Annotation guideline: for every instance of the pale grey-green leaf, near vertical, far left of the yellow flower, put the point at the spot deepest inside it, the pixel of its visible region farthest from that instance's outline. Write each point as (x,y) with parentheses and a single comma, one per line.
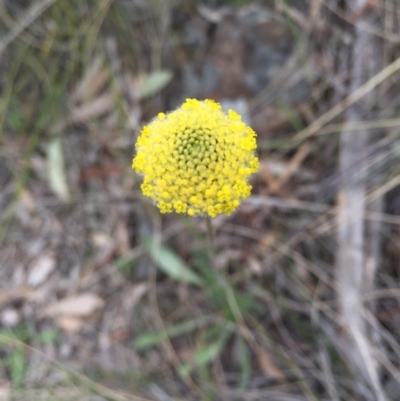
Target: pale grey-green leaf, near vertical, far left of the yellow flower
(56,169)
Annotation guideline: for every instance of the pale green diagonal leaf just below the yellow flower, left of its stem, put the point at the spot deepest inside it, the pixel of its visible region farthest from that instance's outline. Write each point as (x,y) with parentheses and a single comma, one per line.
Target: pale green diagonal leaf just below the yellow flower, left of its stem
(171,264)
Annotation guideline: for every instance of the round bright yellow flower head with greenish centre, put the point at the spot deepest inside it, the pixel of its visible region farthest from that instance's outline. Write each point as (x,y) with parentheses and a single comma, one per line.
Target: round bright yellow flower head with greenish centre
(196,159)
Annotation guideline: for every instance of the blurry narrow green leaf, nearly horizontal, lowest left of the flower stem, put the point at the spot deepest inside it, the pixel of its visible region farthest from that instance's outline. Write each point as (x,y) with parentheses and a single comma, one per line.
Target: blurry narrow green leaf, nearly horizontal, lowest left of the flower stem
(148,340)
